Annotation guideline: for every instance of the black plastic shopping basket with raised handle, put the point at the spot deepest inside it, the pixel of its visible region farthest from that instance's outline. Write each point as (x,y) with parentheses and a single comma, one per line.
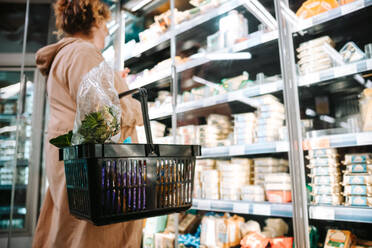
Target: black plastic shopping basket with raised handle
(110,183)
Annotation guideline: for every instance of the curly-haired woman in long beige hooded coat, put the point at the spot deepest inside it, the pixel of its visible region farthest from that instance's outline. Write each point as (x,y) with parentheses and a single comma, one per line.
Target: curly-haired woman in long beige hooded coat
(83,22)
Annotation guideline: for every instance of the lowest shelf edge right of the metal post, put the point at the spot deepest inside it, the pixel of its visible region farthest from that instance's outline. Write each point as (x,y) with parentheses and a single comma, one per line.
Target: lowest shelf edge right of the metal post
(341,213)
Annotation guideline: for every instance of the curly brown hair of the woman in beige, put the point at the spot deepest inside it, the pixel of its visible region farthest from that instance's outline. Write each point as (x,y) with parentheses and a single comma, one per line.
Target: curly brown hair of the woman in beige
(79,16)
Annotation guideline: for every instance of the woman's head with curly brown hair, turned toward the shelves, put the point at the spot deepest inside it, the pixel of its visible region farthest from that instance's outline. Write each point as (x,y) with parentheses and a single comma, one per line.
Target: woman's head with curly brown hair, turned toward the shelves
(83,18)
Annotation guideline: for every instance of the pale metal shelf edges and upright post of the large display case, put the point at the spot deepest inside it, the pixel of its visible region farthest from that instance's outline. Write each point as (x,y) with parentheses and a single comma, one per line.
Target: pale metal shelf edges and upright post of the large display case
(257,41)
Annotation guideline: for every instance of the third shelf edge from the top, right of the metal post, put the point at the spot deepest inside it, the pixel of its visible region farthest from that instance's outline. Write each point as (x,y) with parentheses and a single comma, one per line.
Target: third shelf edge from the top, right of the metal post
(339,140)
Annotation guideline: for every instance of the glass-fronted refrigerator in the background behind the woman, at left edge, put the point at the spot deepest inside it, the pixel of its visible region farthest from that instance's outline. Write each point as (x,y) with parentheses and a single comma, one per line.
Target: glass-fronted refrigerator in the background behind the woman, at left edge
(22,150)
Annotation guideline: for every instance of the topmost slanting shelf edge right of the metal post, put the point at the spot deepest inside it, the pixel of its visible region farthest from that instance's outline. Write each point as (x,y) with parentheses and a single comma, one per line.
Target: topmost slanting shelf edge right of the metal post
(333,14)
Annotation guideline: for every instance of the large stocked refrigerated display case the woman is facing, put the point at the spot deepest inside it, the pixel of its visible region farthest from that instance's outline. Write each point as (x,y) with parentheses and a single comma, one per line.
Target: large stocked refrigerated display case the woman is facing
(222,57)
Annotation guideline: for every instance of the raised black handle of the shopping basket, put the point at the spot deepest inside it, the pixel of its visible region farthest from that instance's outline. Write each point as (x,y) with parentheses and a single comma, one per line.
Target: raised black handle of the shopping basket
(145,113)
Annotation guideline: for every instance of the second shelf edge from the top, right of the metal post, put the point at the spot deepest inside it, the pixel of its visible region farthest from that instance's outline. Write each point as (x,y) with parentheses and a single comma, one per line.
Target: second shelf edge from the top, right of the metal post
(336,72)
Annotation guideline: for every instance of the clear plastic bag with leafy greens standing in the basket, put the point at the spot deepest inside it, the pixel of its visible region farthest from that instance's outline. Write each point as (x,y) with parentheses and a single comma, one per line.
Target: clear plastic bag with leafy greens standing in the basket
(98,110)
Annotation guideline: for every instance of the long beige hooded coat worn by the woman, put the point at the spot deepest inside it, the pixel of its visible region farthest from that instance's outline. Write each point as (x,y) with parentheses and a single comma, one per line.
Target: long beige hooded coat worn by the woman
(65,63)
